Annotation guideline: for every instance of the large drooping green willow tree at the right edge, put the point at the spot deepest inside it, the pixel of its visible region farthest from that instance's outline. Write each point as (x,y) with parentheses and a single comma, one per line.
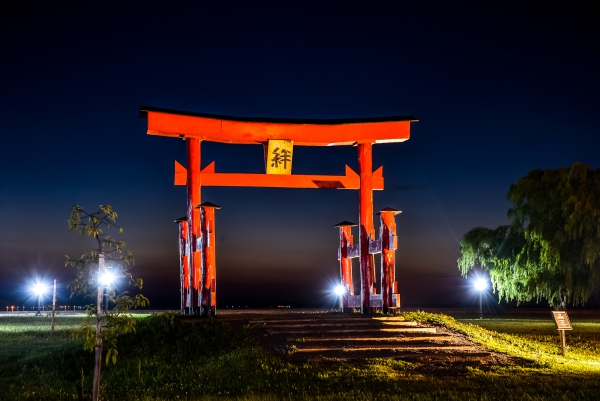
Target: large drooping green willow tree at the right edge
(551,249)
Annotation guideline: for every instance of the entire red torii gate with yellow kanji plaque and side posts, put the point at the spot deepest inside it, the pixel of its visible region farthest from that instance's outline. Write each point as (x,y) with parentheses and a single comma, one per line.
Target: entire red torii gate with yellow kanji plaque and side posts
(278,136)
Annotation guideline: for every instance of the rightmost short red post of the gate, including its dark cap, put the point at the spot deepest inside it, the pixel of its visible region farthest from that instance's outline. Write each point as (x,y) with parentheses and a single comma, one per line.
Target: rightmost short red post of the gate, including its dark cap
(389,243)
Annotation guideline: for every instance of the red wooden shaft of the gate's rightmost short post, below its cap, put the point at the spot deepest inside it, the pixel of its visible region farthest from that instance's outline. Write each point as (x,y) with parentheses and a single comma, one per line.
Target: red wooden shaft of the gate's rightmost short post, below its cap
(388,263)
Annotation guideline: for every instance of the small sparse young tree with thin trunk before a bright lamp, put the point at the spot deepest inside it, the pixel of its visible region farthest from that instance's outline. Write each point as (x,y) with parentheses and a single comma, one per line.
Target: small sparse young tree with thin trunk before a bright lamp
(107,253)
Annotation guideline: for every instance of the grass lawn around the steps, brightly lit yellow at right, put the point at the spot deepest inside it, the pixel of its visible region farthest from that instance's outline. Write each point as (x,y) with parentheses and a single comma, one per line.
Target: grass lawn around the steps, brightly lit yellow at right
(222,360)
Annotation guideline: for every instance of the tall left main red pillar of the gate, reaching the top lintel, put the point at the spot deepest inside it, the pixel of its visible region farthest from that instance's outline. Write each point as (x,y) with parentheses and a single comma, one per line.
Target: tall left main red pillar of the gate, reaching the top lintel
(193,195)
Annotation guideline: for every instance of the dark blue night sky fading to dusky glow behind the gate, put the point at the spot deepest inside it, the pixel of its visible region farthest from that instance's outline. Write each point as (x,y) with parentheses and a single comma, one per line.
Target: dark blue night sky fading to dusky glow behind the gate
(498,92)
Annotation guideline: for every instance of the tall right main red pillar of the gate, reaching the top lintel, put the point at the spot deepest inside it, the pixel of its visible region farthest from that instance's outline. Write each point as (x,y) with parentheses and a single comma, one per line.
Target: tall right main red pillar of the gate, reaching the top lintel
(365,194)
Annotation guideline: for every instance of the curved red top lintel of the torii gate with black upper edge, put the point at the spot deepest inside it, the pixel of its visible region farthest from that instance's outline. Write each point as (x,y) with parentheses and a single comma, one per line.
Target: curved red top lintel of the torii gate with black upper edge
(304,132)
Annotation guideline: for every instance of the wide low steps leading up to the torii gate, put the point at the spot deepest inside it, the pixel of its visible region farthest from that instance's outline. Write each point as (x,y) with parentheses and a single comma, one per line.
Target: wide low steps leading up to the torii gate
(348,337)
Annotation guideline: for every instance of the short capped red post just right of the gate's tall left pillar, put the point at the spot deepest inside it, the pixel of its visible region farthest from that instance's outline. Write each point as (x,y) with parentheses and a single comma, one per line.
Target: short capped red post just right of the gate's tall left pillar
(208,294)
